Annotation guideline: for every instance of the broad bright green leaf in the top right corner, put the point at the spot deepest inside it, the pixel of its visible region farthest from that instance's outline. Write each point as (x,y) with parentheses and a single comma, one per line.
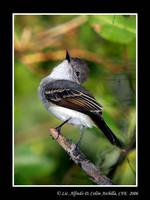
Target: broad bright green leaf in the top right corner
(117,29)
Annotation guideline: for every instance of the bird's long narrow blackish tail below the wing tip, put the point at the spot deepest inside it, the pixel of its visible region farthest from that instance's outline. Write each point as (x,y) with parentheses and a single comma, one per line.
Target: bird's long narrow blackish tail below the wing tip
(100,122)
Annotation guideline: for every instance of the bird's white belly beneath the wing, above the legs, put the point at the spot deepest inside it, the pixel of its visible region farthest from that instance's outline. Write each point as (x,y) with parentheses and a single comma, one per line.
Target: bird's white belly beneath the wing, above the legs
(77,118)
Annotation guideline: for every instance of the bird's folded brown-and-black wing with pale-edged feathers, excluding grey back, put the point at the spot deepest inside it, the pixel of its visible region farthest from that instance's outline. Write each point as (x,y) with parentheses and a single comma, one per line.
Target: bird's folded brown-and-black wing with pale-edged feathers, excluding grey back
(73,99)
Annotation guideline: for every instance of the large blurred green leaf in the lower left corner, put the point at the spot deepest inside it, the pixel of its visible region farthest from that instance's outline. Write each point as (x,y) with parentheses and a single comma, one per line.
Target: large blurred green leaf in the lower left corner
(30,168)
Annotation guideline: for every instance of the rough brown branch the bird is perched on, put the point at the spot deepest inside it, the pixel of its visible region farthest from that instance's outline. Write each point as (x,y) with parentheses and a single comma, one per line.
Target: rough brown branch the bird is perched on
(79,158)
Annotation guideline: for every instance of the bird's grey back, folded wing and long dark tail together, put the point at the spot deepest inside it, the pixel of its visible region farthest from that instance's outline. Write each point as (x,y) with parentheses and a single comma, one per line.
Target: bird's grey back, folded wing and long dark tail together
(71,95)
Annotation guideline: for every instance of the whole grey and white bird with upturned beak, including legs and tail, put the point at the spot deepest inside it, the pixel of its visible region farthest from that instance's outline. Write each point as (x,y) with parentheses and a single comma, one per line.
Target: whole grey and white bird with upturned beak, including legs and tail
(62,95)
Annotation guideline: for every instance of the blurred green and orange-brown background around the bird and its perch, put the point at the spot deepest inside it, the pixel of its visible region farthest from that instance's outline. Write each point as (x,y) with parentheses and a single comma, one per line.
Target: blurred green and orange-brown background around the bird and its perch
(108,44)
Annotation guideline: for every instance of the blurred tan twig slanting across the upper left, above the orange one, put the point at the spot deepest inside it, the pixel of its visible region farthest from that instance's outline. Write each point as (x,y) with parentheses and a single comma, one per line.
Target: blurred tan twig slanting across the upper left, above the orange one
(50,37)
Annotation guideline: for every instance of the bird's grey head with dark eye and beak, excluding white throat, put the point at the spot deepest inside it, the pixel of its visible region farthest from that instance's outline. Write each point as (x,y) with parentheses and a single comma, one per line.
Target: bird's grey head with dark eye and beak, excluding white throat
(80,68)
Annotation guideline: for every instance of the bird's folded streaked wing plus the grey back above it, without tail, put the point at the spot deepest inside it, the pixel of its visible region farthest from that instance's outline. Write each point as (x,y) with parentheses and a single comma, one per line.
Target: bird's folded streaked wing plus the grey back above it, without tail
(72,96)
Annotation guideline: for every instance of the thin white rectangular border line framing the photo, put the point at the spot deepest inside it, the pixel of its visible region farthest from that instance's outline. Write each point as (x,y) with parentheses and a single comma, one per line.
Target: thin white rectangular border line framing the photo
(136,99)
